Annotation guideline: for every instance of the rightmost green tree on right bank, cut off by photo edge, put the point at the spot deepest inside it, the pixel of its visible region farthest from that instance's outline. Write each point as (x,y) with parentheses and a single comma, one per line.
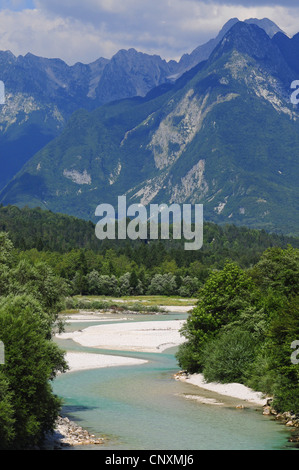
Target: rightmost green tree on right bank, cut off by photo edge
(277,274)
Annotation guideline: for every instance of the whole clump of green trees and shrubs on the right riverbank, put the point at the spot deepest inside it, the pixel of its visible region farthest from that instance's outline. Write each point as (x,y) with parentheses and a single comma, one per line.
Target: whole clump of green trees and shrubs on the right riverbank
(244,325)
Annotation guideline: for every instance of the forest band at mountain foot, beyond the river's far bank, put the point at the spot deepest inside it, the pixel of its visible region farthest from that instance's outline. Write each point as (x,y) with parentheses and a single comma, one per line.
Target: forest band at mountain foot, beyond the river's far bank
(70,247)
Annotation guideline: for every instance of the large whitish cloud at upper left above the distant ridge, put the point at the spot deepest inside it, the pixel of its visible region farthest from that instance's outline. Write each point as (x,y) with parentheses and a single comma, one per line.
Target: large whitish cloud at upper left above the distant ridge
(34,31)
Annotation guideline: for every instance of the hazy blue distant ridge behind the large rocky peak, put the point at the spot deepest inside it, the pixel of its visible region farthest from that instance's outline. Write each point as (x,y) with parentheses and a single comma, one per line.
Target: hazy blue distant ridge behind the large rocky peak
(42,94)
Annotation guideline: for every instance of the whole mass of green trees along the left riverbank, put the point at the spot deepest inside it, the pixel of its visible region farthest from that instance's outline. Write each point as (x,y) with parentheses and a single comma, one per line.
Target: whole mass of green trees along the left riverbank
(30,299)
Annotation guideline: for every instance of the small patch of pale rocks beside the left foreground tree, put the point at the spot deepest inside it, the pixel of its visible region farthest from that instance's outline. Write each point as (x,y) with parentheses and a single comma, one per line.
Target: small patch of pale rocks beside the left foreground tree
(69,434)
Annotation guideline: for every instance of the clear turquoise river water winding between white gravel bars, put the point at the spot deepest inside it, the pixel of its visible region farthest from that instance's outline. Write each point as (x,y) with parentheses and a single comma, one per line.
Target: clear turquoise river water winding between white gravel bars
(144,408)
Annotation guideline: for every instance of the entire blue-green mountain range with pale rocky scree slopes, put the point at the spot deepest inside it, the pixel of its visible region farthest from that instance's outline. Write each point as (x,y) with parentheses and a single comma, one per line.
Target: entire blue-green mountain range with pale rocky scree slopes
(216,128)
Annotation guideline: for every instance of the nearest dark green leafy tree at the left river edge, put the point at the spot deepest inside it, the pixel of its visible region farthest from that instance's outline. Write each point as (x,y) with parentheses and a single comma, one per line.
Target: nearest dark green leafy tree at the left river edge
(31,362)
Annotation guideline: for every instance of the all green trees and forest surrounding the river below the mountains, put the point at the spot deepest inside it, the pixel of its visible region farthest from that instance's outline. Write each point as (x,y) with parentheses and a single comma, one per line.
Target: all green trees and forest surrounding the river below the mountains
(246,318)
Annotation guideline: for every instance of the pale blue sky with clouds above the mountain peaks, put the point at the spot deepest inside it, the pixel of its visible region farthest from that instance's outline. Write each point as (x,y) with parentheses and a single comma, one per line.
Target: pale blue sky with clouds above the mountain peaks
(84,30)
